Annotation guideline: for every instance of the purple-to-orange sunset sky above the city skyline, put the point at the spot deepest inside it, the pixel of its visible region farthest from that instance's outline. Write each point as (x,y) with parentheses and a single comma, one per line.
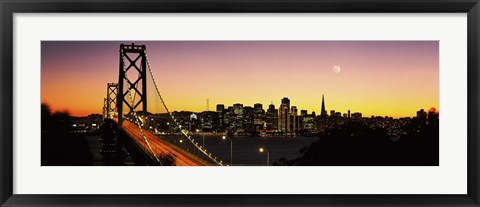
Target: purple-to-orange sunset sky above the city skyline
(386,78)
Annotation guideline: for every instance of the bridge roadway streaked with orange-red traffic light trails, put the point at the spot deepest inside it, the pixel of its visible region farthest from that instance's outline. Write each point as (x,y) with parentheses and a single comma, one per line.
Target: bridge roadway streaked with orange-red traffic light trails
(182,157)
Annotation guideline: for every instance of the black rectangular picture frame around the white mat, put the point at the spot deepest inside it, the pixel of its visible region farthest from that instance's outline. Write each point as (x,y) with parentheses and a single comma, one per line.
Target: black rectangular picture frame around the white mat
(9,7)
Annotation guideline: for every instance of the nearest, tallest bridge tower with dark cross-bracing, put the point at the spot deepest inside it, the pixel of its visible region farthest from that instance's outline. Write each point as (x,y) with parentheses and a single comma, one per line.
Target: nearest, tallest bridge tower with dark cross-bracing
(132,57)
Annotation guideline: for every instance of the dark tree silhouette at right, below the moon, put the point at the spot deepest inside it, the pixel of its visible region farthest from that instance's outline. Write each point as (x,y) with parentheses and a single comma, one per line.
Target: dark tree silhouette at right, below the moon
(356,144)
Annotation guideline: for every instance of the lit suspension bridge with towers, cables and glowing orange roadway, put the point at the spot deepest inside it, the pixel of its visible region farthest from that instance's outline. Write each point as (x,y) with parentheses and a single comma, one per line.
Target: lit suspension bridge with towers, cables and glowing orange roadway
(182,150)
